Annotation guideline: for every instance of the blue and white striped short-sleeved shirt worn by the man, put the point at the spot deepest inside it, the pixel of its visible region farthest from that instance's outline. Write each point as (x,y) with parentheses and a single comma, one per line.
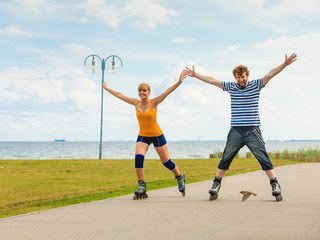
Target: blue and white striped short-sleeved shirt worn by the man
(244,102)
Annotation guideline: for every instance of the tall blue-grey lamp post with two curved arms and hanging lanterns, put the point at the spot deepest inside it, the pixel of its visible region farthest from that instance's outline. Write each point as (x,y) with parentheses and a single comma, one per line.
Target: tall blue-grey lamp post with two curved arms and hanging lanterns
(112,68)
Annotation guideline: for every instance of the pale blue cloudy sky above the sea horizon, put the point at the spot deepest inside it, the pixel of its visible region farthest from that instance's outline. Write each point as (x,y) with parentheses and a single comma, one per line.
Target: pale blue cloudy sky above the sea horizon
(47,93)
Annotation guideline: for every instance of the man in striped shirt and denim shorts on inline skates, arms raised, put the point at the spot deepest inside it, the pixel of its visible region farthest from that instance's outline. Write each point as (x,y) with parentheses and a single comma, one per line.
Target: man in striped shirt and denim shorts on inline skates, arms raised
(245,121)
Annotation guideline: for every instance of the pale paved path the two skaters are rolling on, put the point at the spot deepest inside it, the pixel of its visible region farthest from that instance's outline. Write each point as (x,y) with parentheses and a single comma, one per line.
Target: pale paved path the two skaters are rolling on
(167,215)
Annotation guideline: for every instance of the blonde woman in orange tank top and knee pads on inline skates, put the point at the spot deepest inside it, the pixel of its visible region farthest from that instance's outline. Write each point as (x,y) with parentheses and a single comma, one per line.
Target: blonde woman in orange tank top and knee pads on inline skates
(150,132)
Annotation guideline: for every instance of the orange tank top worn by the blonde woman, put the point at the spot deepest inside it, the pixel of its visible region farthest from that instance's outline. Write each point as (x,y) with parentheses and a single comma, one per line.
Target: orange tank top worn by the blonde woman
(148,123)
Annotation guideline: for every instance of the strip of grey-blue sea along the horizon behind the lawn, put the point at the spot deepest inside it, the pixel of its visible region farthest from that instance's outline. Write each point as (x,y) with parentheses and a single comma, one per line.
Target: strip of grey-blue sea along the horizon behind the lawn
(126,149)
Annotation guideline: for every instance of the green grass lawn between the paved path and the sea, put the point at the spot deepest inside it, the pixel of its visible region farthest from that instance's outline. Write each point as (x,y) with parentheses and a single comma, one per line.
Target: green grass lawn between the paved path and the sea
(35,185)
